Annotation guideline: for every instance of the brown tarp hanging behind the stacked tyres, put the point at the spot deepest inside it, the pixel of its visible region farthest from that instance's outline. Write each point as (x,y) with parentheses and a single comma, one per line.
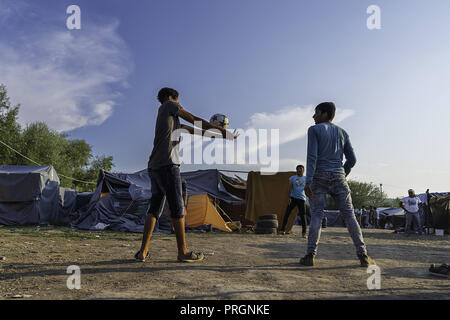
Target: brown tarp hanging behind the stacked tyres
(268,194)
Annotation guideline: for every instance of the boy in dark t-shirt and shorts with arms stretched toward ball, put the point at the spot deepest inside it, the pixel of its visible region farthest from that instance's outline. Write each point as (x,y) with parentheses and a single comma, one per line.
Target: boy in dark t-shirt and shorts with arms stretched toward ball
(164,171)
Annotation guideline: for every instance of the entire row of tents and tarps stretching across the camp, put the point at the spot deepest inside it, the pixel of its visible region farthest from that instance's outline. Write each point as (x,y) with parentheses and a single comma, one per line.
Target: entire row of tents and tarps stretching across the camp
(32,195)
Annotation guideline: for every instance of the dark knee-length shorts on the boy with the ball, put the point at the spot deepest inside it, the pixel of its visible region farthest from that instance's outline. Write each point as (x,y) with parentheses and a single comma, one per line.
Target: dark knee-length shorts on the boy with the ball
(166,186)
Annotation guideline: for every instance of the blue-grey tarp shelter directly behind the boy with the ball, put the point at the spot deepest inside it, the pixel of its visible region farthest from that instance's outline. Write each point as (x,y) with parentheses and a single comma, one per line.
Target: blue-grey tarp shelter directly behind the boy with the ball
(121,200)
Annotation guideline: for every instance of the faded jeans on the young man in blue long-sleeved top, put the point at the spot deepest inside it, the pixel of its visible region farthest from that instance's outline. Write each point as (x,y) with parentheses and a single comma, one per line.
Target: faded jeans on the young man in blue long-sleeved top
(336,185)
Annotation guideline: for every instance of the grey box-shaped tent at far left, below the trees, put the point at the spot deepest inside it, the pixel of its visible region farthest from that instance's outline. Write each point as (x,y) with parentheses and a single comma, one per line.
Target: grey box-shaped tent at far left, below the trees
(29,195)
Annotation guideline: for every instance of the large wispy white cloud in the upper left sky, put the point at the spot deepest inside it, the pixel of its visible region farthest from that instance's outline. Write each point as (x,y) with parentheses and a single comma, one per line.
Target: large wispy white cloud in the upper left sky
(63,77)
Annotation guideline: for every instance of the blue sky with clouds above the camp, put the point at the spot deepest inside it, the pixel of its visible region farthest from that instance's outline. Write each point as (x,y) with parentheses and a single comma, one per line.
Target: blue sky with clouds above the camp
(256,61)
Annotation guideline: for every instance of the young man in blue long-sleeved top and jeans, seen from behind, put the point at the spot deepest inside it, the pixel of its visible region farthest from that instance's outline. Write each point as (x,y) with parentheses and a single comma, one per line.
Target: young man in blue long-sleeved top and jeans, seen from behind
(325,174)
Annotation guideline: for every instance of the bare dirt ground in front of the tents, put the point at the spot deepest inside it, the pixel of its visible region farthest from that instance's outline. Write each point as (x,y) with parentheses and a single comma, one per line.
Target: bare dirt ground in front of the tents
(237,266)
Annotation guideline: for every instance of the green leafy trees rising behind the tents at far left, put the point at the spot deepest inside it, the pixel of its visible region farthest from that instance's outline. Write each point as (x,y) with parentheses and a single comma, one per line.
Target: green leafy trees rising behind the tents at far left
(72,159)
